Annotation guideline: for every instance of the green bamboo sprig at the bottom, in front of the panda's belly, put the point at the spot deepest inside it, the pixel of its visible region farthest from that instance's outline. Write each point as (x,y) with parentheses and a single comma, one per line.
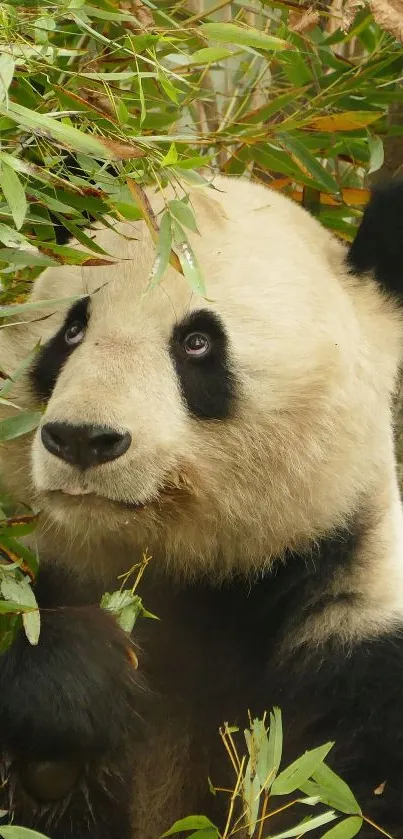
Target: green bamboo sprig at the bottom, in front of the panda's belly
(308,781)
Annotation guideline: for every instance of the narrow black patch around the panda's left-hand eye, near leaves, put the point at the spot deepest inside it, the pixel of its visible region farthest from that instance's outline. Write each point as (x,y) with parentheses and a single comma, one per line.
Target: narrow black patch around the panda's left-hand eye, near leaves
(54,354)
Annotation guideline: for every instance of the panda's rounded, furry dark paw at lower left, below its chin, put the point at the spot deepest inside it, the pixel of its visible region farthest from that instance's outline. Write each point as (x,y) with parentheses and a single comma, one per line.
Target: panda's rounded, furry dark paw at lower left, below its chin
(76,694)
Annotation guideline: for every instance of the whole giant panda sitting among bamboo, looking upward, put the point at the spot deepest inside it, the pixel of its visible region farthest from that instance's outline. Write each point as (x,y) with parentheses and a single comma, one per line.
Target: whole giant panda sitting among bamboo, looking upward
(244,439)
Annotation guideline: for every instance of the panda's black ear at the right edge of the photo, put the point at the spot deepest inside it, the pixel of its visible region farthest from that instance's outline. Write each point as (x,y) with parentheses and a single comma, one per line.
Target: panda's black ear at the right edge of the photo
(378,245)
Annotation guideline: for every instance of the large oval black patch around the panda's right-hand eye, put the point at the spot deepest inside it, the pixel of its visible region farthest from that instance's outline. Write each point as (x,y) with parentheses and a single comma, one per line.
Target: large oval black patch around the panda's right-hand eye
(207,383)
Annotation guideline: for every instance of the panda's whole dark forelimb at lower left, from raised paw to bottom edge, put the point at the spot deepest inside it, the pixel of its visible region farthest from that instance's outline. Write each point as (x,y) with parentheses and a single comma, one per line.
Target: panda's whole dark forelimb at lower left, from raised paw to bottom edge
(69,709)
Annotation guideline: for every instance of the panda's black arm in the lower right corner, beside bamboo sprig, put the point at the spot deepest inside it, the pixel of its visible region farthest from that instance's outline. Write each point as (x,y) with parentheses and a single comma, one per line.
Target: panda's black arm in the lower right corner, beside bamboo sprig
(353,696)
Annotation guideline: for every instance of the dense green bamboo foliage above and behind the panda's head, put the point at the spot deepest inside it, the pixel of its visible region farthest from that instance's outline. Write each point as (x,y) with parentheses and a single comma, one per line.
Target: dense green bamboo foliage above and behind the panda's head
(160,92)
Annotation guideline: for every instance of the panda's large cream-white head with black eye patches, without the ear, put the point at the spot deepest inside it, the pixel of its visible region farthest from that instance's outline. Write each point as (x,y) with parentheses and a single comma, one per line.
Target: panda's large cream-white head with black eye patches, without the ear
(214,431)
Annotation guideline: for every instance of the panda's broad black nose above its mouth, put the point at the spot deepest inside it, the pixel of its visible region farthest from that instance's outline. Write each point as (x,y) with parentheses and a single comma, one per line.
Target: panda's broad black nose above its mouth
(84,445)
